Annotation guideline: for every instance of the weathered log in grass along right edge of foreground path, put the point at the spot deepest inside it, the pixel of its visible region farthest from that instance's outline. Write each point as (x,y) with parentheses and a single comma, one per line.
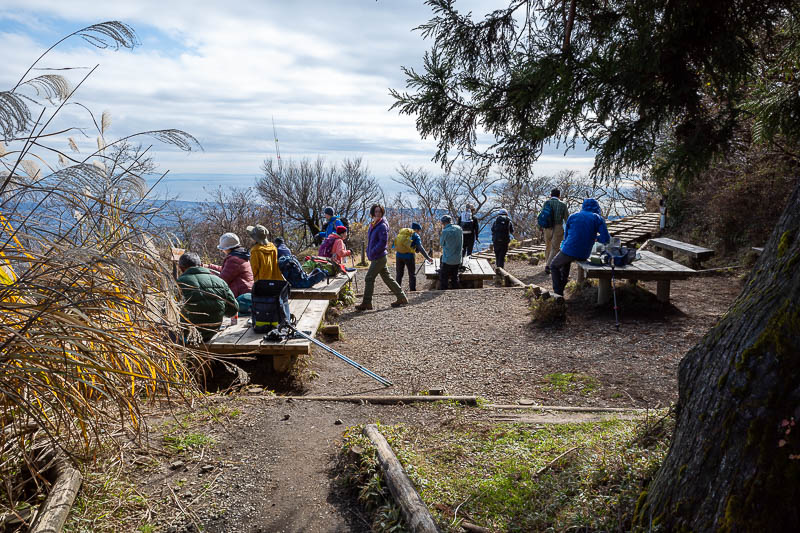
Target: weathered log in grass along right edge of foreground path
(414,511)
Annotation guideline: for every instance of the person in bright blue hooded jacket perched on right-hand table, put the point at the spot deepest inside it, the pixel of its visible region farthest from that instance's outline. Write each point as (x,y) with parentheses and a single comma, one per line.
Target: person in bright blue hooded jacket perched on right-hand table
(582,230)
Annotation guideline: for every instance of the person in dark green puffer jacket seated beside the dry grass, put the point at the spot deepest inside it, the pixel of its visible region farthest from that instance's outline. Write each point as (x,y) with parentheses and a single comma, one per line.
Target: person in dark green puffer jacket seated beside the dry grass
(207,298)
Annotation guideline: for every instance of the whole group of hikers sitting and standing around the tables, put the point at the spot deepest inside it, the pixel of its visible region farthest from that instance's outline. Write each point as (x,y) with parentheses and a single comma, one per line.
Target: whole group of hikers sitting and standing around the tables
(211,292)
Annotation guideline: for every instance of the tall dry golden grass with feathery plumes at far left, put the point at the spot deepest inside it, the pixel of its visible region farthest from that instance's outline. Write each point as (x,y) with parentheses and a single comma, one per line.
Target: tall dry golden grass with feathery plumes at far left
(86,303)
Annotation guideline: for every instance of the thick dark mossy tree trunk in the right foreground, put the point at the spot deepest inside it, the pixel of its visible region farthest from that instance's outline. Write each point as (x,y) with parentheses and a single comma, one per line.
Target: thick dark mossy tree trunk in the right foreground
(734,461)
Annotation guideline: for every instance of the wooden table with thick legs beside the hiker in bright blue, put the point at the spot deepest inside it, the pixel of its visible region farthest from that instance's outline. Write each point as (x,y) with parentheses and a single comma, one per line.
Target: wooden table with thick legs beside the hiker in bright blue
(651,267)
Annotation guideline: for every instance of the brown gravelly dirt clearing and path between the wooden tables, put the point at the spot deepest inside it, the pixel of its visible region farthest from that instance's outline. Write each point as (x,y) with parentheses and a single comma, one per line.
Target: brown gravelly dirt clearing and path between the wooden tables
(273,467)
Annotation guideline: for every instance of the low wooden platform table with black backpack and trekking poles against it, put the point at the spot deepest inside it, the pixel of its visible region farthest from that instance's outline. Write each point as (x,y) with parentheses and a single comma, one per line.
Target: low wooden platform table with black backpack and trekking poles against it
(242,340)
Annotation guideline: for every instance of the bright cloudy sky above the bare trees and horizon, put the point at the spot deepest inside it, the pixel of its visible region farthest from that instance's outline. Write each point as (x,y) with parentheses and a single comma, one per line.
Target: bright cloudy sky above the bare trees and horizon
(222,70)
